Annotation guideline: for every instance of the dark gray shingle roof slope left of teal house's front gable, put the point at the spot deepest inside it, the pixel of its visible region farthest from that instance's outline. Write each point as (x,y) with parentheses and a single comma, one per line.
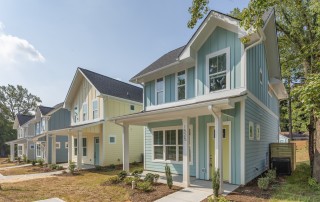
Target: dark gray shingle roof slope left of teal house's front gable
(164,60)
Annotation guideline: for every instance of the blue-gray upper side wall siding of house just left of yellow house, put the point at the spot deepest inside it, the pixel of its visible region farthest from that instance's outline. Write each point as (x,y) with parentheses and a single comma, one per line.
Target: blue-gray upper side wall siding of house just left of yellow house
(59,120)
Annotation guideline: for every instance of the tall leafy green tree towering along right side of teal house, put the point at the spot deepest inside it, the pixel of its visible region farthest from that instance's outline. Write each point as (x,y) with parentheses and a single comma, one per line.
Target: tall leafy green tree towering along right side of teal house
(298,29)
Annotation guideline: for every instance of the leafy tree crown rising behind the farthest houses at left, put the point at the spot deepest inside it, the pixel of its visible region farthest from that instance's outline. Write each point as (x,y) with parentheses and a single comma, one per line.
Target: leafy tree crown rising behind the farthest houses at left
(17,100)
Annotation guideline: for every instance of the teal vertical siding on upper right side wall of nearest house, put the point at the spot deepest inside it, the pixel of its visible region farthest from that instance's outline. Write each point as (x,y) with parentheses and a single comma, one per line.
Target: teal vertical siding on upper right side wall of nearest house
(256,60)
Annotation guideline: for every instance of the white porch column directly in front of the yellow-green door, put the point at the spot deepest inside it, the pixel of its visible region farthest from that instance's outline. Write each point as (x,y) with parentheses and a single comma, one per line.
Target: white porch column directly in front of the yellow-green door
(218,146)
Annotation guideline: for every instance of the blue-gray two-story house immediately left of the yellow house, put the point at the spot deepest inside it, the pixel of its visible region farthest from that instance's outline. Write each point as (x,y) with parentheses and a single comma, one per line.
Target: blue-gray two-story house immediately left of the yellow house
(51,133)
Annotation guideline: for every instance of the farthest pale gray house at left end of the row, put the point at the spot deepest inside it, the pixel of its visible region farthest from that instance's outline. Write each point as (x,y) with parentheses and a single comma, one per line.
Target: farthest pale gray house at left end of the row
(25,132)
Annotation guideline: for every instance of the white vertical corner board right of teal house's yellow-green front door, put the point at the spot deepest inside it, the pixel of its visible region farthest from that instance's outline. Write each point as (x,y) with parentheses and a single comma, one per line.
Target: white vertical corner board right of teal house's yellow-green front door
(242,141)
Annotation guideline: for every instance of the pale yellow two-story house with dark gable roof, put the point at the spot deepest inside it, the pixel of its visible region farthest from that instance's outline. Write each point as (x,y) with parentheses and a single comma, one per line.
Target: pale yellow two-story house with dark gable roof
(93,100)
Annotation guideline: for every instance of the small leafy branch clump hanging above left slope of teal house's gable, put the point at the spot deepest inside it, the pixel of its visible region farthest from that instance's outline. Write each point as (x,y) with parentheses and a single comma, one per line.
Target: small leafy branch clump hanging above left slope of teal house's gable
(198,9)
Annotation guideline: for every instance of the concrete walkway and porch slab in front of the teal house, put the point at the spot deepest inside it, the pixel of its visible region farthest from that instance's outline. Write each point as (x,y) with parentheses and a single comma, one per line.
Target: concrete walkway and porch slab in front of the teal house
(198,190)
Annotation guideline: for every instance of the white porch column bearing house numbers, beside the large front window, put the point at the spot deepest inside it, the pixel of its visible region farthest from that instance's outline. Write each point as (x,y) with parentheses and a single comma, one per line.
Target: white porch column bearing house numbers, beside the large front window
(186,157)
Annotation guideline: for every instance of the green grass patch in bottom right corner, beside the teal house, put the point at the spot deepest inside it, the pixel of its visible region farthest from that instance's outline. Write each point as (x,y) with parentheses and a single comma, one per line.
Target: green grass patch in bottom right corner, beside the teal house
(296,187)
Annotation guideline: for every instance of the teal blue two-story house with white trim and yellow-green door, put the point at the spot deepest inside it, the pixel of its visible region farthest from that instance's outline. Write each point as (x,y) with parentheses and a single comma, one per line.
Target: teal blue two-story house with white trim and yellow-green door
(213,103)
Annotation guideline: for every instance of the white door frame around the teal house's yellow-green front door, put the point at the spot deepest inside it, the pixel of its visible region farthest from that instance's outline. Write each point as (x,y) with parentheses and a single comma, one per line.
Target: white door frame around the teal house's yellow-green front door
(224,123)
